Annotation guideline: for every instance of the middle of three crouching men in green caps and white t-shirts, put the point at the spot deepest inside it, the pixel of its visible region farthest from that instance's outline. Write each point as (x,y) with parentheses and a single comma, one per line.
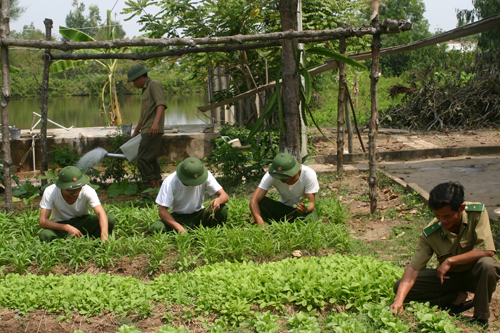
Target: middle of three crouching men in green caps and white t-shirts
(183,192)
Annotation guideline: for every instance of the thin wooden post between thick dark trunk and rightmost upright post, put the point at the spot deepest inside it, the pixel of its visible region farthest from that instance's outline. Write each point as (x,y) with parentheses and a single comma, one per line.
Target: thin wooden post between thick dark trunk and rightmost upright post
(341,109)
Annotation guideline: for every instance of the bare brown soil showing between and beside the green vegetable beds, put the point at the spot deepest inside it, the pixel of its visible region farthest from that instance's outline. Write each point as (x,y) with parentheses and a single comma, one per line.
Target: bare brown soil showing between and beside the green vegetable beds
(362,226)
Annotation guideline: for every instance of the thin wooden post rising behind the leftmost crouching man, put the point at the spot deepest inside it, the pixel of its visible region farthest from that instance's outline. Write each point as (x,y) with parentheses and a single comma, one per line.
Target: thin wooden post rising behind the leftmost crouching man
(45,100)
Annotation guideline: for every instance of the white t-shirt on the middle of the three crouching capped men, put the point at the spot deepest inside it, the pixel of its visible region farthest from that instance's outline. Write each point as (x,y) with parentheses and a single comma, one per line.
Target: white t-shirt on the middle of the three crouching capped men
(184,199)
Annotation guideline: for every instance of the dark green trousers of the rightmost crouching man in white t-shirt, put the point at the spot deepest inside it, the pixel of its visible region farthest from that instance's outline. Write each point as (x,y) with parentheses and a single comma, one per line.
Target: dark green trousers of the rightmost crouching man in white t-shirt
(275,210)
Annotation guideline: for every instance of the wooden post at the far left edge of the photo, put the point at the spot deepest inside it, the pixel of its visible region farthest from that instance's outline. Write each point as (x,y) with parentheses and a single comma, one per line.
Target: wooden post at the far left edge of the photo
(4,55)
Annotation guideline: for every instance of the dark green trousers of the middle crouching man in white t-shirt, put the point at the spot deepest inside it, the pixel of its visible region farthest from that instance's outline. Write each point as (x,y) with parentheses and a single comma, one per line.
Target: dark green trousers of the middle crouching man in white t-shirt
(193,220)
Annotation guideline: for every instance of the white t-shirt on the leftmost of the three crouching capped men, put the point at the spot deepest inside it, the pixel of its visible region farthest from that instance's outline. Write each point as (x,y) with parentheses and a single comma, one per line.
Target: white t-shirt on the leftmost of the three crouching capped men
(61,210)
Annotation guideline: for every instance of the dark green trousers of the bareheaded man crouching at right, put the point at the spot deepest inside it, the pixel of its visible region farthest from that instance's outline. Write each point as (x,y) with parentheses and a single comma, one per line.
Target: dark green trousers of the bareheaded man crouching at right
(481,280)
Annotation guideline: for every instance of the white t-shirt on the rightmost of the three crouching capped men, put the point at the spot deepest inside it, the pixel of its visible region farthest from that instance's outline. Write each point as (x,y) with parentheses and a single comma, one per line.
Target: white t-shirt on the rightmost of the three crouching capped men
(290,194)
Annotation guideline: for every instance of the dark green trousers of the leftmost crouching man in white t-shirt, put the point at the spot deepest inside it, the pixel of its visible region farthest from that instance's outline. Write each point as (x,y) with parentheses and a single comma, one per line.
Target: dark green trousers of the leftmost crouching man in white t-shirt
(87,224)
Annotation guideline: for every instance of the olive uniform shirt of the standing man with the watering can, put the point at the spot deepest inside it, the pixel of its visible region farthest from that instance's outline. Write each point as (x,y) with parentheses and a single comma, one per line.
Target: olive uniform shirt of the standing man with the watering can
(152,97)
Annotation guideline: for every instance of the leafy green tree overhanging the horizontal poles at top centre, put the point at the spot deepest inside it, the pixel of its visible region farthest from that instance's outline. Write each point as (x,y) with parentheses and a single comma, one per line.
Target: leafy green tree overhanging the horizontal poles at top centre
(214,18)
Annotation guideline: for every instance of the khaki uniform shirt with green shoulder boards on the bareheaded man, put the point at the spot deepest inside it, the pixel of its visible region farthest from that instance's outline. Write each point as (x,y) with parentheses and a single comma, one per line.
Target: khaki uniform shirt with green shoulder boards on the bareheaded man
(474,234)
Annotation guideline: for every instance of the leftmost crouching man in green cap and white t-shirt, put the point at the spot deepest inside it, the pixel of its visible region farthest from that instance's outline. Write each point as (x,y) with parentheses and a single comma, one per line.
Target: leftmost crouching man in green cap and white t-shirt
(67,201)
